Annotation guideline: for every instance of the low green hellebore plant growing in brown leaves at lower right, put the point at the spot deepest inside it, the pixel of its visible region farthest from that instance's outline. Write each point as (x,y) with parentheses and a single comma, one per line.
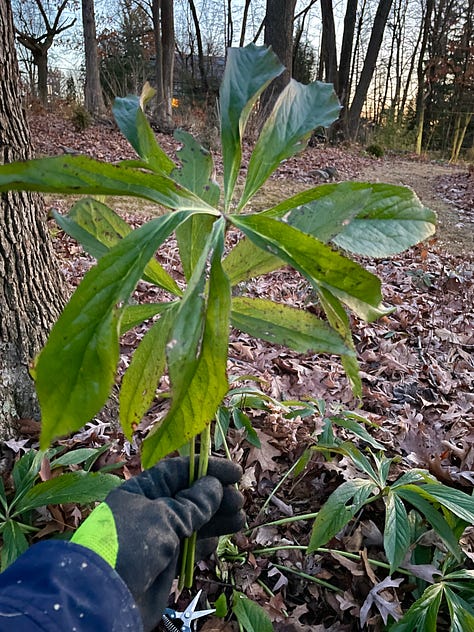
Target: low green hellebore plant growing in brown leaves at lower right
(432,505)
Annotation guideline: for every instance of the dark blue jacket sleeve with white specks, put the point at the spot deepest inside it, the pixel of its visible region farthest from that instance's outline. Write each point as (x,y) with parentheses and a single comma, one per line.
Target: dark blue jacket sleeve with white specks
(59,586)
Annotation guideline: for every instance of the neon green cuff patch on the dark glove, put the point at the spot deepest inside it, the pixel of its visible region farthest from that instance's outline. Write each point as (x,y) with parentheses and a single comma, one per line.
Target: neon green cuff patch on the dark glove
(99,533)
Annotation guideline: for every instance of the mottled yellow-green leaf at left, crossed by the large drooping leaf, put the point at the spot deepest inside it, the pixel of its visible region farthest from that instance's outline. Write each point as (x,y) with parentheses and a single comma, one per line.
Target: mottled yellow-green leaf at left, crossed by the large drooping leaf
(108,229)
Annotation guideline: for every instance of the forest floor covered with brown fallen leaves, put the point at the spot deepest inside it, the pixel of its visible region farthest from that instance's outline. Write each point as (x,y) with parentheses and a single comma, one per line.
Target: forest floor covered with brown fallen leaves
(417,366)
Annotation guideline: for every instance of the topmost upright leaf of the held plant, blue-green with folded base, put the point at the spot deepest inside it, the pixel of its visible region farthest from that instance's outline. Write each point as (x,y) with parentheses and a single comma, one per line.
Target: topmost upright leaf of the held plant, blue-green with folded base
(247,73)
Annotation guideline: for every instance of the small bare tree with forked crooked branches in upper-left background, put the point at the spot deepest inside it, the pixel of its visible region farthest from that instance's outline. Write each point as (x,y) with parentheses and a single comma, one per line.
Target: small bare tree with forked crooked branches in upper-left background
(39,22)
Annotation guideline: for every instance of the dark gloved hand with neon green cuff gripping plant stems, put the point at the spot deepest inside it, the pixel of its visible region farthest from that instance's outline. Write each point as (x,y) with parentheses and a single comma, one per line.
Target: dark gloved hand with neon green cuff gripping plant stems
(139,527)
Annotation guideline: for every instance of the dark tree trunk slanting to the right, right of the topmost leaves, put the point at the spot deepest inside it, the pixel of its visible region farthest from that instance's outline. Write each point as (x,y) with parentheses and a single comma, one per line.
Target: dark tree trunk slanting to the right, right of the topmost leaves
(368,68)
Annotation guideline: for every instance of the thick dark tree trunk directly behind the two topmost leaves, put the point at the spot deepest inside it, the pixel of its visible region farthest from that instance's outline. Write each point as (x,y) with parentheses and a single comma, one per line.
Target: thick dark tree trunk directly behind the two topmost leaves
(279,35)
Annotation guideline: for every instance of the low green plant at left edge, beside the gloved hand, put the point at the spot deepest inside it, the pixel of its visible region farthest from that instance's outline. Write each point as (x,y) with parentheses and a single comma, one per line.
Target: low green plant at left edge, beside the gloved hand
(27,493)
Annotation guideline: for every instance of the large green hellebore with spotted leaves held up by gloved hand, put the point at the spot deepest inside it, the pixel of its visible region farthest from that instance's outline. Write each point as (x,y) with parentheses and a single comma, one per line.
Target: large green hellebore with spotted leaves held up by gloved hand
(190,336)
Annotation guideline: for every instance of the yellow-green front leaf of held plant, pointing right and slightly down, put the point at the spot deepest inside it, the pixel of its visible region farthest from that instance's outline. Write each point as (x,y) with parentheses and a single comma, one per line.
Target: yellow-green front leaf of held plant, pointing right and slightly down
(322,266)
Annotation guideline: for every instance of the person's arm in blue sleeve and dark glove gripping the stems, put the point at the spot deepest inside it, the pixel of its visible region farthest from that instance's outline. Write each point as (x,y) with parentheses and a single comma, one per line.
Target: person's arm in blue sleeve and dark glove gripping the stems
(129,546)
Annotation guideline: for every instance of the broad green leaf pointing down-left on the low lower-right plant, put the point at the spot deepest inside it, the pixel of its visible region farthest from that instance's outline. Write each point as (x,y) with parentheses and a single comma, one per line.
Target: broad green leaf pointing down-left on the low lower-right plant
(336,513)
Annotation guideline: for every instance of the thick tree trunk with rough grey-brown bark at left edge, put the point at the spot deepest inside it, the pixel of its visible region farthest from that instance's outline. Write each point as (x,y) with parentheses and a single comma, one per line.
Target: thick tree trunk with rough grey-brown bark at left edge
(31,287)
